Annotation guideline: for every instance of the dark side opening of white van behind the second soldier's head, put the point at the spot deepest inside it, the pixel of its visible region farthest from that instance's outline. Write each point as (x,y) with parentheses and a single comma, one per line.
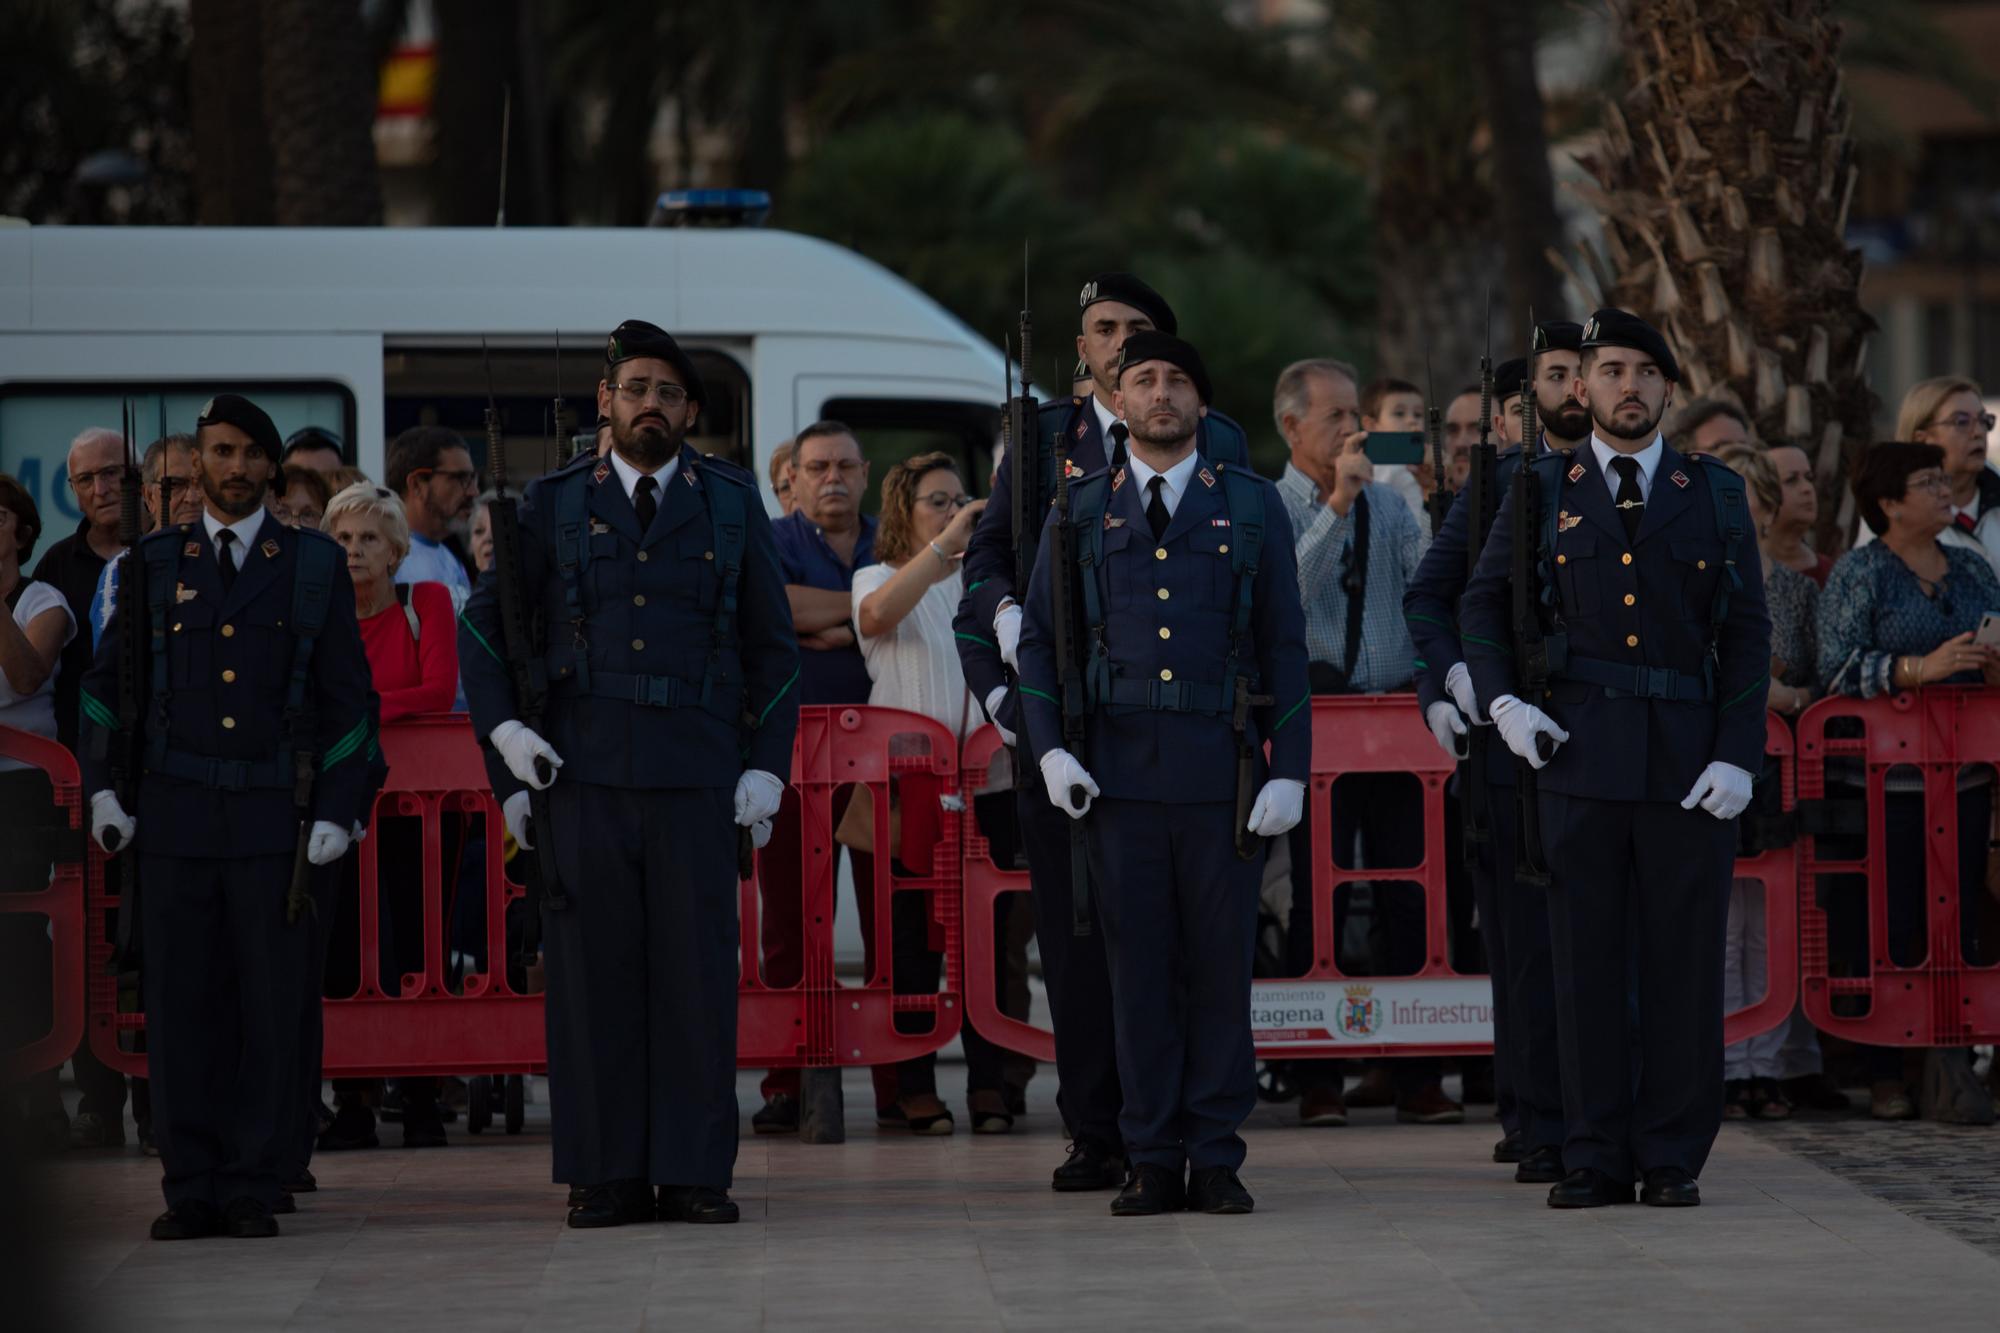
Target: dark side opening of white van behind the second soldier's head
(443,383)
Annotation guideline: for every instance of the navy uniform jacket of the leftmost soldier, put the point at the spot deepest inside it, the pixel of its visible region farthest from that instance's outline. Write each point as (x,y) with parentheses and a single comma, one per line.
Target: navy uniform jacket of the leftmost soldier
(229,668)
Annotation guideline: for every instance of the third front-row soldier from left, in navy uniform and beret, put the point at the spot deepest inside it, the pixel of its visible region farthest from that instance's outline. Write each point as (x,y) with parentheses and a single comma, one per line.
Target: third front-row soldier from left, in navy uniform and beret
(1177,629)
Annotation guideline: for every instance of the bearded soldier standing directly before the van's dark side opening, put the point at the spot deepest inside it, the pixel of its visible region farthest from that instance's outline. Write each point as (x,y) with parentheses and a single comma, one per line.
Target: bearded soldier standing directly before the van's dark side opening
(671,718)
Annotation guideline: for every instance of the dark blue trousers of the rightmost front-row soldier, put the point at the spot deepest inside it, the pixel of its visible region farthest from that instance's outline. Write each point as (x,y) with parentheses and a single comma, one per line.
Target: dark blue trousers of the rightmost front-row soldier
(1637,918)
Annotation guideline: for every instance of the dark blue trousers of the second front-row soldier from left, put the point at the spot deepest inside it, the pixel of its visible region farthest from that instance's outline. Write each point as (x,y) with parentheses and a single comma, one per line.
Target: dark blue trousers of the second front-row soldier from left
(643,986)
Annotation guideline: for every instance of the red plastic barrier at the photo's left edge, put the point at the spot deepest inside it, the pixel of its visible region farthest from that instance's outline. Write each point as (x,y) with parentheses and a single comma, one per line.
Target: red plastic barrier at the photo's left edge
(61,902)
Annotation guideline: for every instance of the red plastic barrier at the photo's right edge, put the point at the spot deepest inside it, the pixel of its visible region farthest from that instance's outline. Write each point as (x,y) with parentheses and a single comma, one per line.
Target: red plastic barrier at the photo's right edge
(1939,1002)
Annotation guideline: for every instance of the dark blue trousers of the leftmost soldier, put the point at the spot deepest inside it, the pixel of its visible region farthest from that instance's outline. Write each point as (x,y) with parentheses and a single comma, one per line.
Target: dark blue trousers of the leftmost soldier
(227,986)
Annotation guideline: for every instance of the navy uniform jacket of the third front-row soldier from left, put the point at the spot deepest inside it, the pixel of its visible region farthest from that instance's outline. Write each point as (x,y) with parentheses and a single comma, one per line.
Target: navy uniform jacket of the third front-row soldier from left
(1169,609)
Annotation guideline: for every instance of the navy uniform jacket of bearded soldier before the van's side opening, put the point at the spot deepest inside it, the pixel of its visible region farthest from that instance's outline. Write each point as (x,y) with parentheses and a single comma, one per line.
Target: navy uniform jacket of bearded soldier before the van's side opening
(649,603)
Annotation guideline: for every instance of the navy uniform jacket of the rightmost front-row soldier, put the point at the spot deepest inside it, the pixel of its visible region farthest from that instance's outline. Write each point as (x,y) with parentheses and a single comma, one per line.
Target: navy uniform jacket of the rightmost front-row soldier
(1645,603)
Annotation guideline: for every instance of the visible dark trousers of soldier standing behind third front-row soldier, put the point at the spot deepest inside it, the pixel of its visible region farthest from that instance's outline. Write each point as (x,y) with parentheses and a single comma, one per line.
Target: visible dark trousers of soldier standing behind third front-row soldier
(1077,978)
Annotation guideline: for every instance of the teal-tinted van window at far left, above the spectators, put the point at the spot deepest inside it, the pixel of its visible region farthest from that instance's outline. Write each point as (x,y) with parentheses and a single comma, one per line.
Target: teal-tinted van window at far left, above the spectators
(39,421)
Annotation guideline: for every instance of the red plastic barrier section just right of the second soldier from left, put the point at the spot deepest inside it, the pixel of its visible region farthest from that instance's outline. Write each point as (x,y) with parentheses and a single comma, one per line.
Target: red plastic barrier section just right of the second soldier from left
(821,1022)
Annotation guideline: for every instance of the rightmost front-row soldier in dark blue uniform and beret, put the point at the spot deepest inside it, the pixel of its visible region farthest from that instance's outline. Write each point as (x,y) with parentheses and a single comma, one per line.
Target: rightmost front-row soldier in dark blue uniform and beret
(1659,653)
